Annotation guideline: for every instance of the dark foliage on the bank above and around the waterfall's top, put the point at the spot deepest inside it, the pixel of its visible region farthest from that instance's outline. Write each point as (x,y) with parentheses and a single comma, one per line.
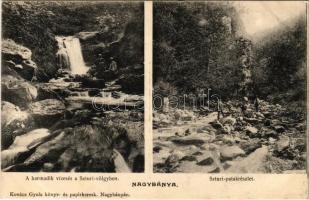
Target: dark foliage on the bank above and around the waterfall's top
(34,24)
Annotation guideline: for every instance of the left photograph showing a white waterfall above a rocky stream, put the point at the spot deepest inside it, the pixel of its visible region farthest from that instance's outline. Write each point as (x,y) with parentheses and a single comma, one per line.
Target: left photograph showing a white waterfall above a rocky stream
(72,86)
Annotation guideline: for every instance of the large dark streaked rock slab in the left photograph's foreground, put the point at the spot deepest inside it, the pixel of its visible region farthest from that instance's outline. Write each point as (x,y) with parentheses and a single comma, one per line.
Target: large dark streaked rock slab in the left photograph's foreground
(85,148)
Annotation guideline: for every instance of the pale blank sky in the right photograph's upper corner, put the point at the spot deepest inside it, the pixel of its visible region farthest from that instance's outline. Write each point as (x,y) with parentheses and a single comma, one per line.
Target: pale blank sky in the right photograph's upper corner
(260,16)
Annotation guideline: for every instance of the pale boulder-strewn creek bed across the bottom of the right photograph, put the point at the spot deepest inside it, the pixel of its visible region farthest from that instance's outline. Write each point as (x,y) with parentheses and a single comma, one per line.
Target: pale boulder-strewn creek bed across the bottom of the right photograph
(268,141)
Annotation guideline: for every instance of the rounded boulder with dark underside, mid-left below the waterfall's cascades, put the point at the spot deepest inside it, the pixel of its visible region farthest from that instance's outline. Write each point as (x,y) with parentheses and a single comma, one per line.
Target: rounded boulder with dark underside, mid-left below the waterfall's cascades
(47,112)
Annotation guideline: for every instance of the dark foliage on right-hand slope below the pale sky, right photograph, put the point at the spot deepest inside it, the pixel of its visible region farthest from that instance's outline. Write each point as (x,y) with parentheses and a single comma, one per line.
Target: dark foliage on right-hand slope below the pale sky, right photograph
(281,62)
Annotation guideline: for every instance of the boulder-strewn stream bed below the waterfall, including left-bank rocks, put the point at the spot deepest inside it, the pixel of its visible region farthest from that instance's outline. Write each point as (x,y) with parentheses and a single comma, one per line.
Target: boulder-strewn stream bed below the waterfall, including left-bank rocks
(72,123)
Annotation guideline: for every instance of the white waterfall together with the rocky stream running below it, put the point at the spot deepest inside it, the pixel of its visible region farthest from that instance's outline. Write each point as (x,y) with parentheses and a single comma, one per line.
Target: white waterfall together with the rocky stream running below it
(81,123)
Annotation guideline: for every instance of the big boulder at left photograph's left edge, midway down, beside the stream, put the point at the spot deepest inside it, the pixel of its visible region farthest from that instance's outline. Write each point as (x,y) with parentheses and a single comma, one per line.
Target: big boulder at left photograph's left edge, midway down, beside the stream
(17,91)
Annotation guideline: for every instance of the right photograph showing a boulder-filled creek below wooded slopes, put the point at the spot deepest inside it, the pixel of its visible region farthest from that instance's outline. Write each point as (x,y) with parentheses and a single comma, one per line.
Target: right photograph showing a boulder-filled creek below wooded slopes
(229,87)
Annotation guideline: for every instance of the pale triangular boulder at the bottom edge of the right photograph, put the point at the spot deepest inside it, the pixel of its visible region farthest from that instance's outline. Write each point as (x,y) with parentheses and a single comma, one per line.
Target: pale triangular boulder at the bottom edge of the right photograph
(254,163)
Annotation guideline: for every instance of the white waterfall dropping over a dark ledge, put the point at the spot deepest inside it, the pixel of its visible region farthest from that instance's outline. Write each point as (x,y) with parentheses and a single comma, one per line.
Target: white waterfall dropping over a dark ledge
(70,55)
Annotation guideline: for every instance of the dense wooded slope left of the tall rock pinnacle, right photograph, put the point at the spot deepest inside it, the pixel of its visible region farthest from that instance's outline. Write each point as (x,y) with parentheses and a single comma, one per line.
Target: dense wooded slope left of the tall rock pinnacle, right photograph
(194,46)
